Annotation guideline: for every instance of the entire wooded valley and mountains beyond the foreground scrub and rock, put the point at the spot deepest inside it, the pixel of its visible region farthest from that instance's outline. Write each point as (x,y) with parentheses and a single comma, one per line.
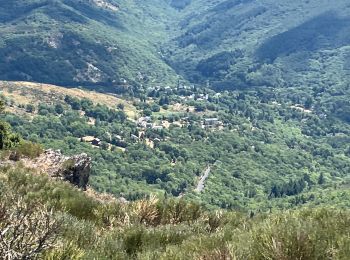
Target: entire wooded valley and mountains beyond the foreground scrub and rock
(155,91)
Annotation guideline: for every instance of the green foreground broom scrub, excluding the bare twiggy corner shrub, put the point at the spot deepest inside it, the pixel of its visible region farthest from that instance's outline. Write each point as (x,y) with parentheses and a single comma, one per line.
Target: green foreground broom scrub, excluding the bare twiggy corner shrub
(113,230)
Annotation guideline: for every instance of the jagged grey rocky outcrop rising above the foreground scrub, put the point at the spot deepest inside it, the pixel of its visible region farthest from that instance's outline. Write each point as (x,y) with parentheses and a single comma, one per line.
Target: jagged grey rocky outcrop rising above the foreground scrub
(75,169)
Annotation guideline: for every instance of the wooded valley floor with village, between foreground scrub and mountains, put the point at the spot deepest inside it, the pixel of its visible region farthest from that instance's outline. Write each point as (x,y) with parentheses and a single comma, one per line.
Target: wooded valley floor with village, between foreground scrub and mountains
(266,149)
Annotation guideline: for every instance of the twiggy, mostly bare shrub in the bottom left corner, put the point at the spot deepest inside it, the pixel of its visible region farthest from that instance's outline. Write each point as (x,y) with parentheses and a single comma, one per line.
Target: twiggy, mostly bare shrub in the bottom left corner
(27,230)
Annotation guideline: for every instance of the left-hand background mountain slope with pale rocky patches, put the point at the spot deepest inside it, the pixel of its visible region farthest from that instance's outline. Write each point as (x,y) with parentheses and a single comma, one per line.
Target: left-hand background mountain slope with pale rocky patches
(108,43)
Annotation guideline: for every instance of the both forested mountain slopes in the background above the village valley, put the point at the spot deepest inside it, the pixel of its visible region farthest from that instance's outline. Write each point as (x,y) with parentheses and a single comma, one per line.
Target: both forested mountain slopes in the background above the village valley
(232,44)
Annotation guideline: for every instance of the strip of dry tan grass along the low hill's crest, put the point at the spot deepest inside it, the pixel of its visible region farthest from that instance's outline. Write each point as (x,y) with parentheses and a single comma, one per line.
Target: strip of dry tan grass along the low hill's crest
(28,93)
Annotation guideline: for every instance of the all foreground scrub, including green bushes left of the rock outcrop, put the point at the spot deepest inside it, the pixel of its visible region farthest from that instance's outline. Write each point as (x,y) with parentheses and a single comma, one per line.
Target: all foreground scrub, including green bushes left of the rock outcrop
(45,219)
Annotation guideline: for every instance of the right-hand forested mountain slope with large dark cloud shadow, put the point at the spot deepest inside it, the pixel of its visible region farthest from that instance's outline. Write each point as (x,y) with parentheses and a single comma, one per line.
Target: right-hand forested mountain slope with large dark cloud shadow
(283,43)
